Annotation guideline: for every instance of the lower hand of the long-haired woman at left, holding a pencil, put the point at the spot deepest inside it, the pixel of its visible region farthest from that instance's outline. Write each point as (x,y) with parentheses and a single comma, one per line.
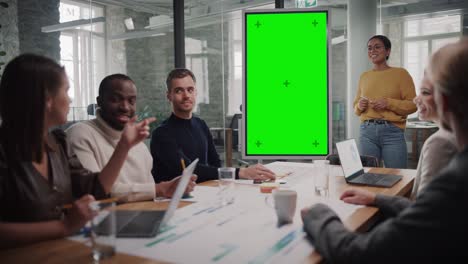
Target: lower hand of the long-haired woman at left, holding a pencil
(79,214)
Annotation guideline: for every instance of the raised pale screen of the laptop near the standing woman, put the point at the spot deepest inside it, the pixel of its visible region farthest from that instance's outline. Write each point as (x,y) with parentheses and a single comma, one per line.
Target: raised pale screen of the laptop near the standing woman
(349,157)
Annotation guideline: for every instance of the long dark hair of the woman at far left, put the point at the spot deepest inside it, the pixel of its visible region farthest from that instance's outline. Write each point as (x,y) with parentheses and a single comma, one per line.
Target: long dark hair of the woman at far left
(26,82)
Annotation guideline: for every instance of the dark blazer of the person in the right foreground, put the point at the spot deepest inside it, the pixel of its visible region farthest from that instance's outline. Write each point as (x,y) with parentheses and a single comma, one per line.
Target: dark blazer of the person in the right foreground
(432,229)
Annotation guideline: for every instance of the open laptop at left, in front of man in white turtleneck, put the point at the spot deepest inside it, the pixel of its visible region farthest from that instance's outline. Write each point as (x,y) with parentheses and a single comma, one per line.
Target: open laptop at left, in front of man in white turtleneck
(141,223)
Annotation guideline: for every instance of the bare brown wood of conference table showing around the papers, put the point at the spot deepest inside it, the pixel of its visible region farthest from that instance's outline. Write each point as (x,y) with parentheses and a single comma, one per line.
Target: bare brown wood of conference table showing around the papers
(67,251)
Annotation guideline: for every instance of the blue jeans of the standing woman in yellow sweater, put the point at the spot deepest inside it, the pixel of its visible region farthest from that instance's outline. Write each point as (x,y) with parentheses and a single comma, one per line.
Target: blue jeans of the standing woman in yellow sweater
(385,142)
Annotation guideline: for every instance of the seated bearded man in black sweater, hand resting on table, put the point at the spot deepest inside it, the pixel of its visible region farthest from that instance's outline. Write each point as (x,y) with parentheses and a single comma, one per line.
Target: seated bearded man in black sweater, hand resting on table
(184,136)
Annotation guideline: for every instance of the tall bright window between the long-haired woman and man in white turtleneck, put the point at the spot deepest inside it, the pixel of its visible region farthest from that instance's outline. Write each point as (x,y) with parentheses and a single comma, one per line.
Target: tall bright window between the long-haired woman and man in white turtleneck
(82,52)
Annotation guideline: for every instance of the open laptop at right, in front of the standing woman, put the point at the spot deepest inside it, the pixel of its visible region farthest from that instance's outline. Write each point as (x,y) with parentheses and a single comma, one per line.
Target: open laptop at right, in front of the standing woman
(353,170)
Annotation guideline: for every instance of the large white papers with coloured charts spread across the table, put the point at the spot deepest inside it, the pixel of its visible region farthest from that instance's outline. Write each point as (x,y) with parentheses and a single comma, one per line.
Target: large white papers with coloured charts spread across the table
(243,232)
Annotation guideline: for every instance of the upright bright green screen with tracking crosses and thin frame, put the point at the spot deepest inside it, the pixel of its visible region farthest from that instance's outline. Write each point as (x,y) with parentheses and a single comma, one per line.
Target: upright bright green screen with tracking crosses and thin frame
(286,80)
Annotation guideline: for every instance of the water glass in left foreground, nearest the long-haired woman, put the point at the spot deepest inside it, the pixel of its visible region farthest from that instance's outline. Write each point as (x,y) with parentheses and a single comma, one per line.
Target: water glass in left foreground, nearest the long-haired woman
(103,230)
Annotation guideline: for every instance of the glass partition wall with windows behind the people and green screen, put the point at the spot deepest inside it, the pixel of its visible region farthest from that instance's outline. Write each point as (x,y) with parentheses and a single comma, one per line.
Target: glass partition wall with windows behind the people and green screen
(96,38)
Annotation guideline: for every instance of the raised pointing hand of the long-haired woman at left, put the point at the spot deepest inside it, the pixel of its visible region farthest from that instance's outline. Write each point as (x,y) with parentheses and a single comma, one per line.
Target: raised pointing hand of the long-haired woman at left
(134,133)
